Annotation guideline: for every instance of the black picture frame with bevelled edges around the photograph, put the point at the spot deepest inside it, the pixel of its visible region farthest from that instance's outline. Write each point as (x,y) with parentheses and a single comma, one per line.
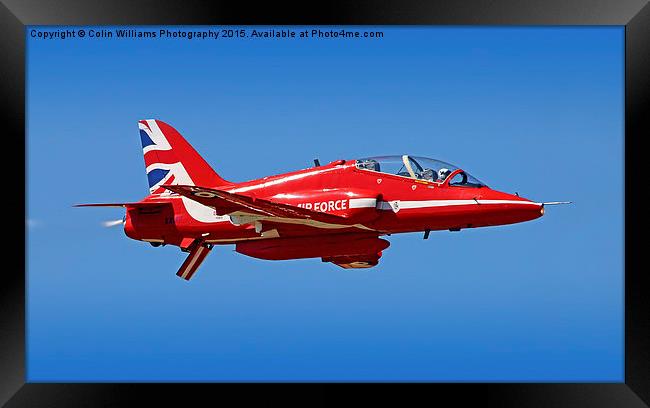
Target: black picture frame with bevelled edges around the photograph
(633,14)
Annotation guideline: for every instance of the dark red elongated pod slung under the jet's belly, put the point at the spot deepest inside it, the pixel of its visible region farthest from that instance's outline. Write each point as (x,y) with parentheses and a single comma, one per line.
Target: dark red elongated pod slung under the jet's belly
(314,247)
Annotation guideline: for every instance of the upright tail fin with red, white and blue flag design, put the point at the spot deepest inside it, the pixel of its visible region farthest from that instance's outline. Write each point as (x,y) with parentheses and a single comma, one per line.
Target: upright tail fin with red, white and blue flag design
(170,160)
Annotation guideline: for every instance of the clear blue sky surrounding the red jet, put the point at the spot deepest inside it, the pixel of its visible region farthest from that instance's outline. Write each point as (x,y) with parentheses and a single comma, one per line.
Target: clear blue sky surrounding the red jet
(533,110)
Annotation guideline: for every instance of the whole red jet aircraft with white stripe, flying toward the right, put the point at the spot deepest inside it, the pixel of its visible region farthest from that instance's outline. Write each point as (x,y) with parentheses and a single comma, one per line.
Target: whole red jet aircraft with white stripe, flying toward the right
(336,212)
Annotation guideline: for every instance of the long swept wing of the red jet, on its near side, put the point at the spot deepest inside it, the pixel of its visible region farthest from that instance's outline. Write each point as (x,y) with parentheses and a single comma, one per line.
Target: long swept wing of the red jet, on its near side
(227,203)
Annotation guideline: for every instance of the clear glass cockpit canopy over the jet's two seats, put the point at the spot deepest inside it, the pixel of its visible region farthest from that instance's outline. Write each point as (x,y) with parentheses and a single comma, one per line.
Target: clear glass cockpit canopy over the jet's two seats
(420,168)
